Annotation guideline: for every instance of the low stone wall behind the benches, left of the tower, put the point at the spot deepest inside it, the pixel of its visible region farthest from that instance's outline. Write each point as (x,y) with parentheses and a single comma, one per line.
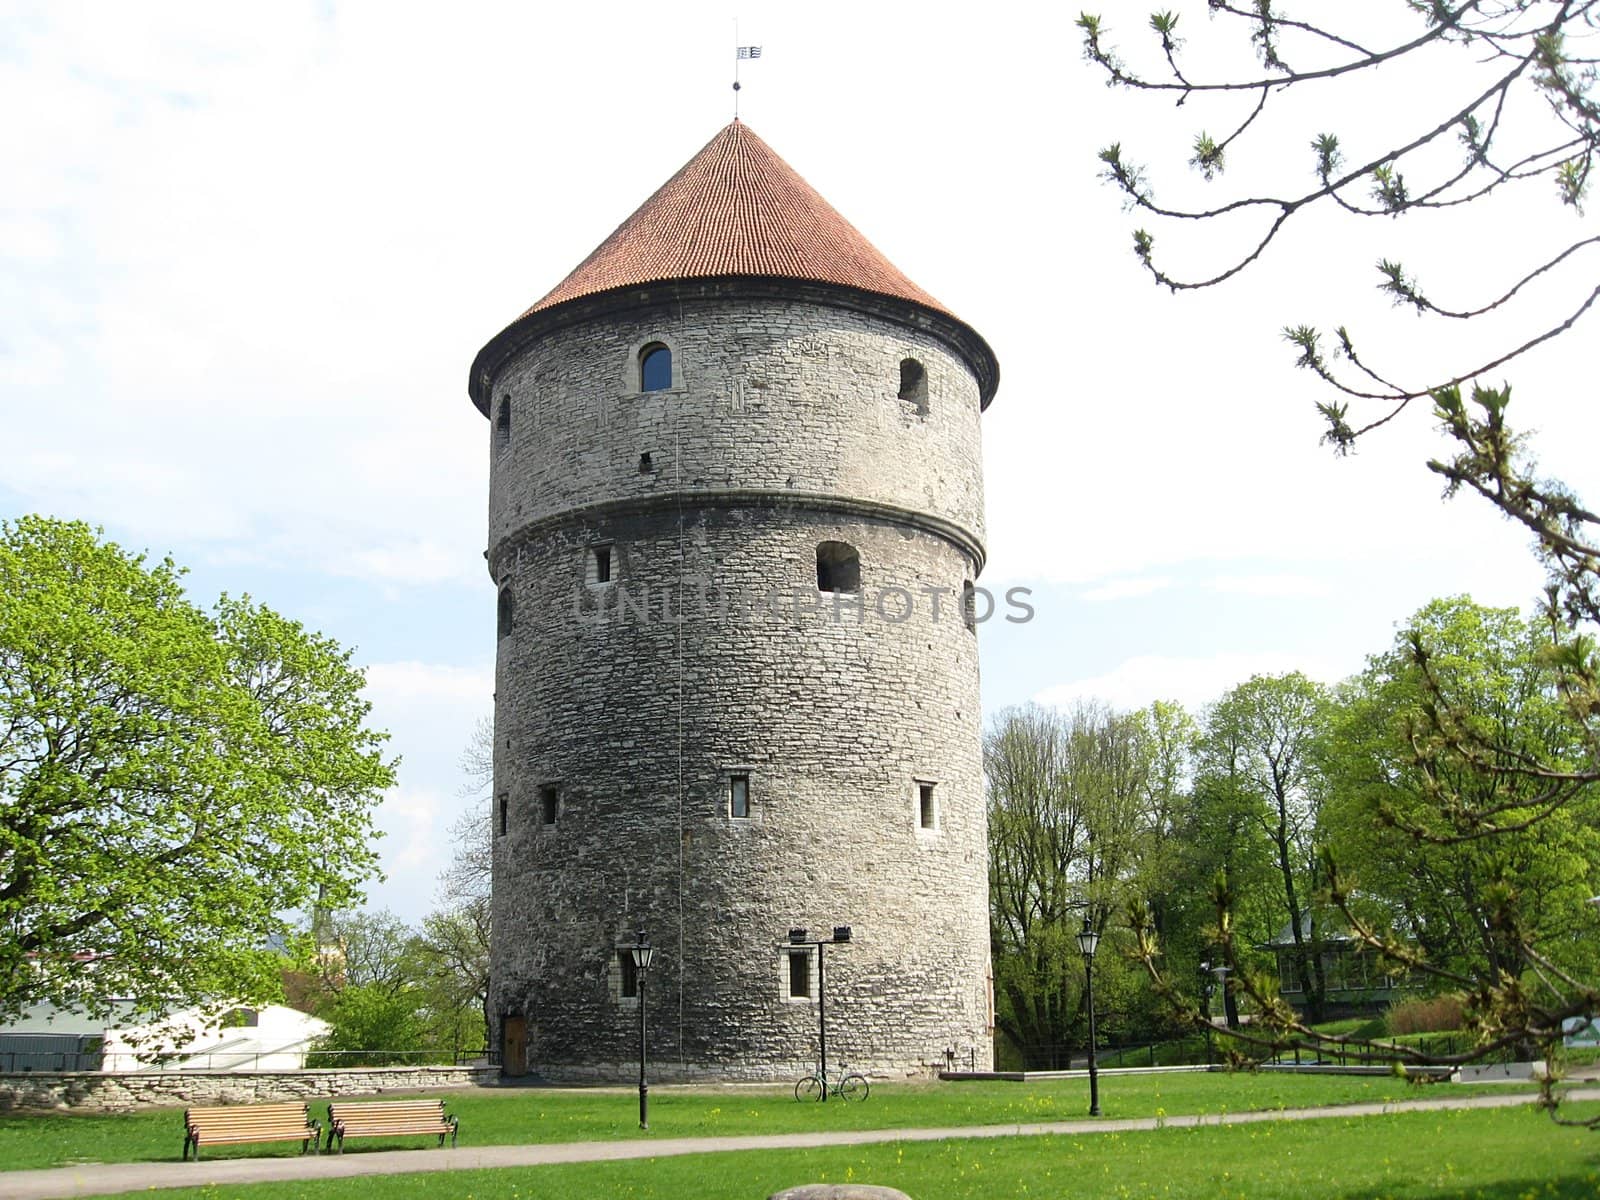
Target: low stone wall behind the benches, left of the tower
(102,1092)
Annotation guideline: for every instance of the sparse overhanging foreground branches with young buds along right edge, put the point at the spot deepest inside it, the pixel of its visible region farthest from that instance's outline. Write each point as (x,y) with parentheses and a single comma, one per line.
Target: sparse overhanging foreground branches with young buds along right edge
(1510,105)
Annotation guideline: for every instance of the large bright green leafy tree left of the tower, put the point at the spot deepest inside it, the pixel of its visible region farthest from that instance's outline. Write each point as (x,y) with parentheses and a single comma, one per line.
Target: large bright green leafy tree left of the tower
(172,782)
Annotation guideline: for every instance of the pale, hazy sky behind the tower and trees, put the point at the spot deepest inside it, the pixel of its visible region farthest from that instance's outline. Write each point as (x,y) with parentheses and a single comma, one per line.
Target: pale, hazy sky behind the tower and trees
(249,252)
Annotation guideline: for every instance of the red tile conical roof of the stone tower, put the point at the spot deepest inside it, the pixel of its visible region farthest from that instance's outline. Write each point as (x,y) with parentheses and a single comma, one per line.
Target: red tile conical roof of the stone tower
(737,209)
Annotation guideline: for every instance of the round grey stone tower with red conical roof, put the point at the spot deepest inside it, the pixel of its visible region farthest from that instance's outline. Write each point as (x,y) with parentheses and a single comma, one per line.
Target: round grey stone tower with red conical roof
(735,500)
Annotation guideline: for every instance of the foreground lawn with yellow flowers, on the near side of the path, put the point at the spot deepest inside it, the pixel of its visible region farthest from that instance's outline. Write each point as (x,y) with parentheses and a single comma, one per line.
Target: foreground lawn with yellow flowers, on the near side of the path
(1506,1154)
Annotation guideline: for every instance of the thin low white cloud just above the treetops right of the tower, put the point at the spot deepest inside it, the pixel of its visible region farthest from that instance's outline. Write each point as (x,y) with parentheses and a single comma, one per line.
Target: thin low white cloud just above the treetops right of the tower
(1193,682)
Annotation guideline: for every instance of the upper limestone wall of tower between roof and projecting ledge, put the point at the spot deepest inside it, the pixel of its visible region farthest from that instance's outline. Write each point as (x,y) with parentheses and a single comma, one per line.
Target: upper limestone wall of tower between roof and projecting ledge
(793,398)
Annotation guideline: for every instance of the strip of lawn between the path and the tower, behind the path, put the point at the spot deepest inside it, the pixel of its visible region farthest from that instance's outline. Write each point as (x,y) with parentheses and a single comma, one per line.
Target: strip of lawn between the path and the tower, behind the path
(513,1116)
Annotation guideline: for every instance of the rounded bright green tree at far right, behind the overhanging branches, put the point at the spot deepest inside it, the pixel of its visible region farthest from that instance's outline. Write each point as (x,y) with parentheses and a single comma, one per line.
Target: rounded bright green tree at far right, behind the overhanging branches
(1462,900)
